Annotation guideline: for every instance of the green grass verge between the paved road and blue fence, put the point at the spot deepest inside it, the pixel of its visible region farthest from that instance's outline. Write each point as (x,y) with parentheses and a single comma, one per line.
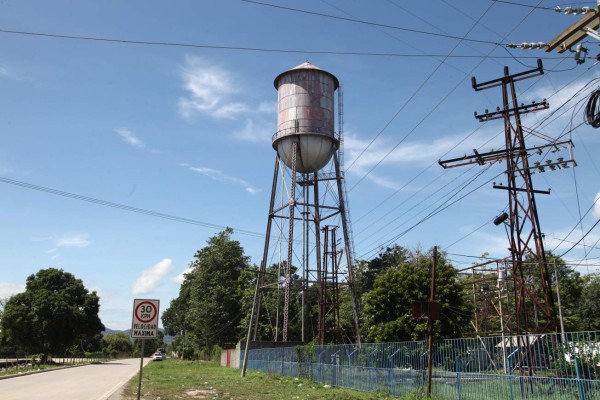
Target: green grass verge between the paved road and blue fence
(176,379)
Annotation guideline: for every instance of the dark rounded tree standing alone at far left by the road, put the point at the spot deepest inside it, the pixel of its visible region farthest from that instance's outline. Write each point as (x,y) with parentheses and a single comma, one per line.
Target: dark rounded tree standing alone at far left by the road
(54,313)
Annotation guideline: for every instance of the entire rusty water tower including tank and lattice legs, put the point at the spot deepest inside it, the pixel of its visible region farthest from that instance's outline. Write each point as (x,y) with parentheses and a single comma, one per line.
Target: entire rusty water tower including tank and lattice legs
(306,211)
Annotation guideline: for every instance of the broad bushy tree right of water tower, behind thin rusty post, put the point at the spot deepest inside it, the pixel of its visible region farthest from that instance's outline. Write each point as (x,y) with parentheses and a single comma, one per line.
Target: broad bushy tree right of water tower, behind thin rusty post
(387,314)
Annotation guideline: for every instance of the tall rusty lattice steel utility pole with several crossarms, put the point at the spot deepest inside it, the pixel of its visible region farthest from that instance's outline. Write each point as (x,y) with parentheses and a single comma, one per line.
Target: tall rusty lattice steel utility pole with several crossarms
(525,235)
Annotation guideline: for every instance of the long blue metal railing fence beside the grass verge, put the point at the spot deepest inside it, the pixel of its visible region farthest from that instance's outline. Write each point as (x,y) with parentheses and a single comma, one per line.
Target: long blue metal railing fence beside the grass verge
(548,366)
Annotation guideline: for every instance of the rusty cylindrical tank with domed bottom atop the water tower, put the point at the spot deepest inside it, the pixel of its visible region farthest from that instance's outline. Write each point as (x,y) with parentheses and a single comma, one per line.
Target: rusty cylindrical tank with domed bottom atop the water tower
(306,116)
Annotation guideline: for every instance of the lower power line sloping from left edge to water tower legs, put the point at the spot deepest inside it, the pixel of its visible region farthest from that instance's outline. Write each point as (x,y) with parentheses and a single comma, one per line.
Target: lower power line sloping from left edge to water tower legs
(123,206)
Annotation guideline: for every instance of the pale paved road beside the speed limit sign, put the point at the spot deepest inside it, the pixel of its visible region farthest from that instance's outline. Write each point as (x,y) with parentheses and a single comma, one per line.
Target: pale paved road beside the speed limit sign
(90,382)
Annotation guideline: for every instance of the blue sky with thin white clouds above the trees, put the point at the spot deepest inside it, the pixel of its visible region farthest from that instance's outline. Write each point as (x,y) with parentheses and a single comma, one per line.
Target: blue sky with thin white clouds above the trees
(186,131)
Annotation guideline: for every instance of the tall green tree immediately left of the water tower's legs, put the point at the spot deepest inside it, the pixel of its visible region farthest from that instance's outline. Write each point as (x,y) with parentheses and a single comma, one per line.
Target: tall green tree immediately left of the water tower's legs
(209,301)
